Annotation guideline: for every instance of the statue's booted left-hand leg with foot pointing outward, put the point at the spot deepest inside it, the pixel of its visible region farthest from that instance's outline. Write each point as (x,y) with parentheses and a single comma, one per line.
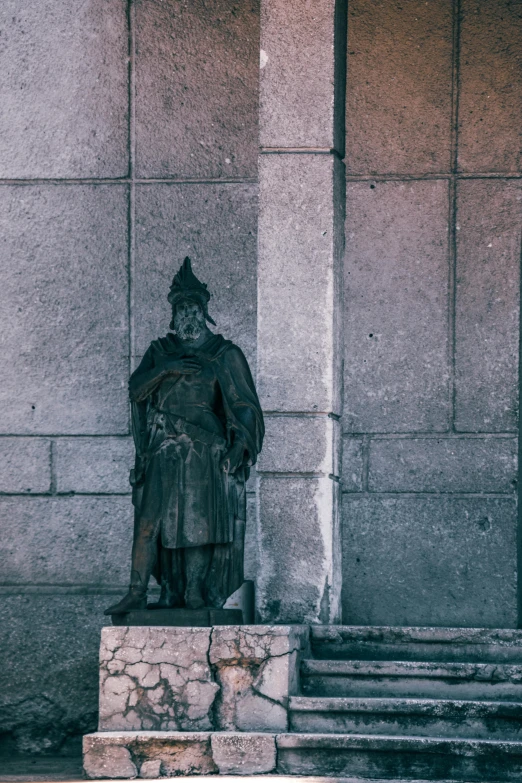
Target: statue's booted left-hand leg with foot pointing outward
(144,552)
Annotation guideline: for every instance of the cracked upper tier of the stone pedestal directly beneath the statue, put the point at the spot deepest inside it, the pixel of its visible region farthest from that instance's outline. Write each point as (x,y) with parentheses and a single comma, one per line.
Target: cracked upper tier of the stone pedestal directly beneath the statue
(225,678)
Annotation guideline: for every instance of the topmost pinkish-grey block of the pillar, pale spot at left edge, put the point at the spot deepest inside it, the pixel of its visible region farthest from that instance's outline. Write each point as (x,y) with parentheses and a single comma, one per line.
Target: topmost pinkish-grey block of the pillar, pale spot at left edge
(298,70)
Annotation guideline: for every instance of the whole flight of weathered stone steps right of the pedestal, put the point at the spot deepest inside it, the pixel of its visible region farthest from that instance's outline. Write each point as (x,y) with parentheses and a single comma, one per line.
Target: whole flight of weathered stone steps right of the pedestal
(408,704)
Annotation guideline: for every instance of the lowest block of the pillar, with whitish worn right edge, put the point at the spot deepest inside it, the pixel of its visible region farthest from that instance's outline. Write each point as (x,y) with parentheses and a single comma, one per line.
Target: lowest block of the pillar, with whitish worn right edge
(298,543)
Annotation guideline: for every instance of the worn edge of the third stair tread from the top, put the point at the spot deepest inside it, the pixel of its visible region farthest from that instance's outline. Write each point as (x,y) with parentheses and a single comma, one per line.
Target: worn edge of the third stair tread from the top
(438,707)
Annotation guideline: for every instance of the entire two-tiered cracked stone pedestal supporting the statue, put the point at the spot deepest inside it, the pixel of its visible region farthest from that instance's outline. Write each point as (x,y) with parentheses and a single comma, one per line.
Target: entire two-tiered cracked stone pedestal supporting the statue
(157,683)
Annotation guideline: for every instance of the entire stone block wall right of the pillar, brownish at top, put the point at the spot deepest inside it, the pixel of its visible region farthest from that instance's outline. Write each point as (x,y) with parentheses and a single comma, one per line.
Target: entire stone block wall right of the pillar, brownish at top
(432,289)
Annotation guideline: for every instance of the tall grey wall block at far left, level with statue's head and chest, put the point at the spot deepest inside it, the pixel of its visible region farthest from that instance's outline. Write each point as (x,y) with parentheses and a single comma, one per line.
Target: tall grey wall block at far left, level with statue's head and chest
(64,309)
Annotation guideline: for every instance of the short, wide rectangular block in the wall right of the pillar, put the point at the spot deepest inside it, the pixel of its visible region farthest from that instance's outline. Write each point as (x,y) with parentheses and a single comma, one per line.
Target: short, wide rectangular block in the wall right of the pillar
(443,465)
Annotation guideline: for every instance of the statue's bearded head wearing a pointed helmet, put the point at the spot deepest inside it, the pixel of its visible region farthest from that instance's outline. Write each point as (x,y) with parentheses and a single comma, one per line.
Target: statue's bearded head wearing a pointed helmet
(189,298)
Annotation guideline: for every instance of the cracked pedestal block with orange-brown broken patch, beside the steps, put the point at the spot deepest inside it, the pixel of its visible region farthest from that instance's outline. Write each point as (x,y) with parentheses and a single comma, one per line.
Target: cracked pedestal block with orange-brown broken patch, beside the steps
(256,668)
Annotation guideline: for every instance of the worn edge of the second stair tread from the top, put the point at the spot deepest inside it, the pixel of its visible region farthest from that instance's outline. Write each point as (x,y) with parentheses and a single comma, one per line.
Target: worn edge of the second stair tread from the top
(496,672)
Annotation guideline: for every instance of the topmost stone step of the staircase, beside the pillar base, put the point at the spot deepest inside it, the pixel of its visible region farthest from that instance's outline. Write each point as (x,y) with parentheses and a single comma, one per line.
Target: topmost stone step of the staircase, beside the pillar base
(350,642)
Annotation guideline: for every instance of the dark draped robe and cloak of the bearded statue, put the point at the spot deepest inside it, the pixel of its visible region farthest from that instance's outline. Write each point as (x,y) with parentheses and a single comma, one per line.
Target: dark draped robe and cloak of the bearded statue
(181,433)
